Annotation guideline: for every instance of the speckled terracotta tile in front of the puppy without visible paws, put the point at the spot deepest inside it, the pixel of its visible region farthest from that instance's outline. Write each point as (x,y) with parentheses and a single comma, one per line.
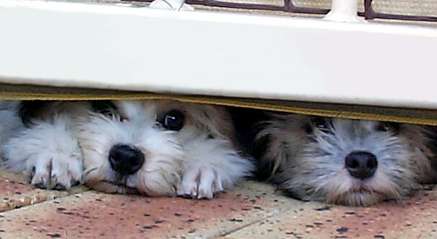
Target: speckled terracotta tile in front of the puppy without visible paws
(414,218)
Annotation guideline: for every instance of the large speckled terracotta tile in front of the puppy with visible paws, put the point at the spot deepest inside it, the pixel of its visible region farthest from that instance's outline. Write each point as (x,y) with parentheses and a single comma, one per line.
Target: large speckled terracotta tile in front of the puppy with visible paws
(97,215)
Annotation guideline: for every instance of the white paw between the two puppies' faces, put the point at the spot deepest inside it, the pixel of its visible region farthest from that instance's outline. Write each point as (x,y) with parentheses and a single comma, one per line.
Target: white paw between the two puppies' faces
(200,183)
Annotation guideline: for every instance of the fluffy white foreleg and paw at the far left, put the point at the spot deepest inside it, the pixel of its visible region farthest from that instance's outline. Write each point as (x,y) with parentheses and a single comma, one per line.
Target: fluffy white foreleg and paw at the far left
(48,152)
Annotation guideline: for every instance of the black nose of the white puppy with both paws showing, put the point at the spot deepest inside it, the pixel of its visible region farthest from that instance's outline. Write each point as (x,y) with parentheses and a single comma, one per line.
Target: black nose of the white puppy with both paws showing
(125,159)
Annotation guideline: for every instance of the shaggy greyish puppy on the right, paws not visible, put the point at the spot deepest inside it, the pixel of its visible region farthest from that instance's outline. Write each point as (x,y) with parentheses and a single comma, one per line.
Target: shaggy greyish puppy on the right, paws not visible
(349,162)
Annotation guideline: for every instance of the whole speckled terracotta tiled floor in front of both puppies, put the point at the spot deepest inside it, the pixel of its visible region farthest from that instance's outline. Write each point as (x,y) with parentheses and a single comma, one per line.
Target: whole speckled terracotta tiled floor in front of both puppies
(252,210)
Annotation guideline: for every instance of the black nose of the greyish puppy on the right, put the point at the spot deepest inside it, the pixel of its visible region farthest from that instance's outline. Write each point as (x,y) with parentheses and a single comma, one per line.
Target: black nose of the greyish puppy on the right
(361,164)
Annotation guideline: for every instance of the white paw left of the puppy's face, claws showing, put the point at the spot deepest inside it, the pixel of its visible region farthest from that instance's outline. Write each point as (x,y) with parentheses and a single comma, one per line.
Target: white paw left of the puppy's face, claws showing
(56,171)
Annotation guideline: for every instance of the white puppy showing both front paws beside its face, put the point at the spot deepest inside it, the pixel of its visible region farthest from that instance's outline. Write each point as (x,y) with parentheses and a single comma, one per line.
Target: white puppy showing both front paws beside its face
(153,147)
